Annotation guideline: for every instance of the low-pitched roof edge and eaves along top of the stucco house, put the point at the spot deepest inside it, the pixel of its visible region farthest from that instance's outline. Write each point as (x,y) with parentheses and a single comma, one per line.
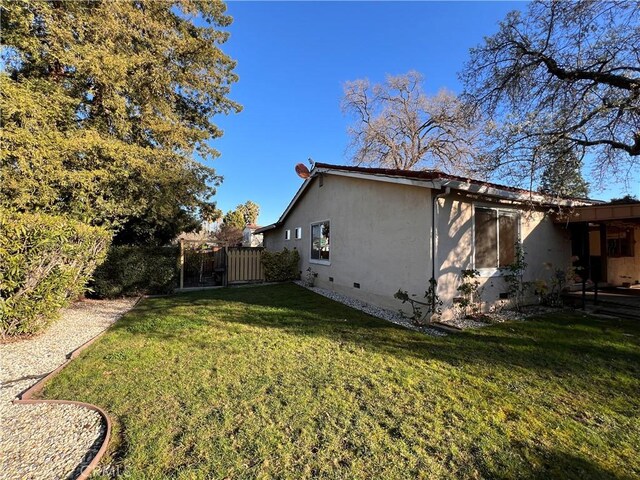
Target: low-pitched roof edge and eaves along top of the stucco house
(431,179)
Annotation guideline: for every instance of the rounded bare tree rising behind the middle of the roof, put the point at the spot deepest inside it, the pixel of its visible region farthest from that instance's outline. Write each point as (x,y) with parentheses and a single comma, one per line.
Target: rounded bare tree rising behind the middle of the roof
(397,125)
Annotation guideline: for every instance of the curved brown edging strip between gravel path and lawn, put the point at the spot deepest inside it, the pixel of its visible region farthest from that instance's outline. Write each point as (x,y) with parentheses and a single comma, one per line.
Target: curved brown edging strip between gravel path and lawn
(24,398)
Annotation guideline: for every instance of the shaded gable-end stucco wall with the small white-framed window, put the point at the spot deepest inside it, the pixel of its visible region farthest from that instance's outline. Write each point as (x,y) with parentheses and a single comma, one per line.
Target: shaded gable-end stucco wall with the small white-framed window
(380,236)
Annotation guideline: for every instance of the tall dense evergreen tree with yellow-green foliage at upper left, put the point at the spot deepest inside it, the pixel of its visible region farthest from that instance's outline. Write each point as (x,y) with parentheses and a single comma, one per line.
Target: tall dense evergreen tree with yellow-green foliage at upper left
(105,104)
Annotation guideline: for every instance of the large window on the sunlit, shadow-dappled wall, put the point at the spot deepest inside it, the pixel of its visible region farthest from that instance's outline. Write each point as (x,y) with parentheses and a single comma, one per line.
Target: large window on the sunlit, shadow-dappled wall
(496,234)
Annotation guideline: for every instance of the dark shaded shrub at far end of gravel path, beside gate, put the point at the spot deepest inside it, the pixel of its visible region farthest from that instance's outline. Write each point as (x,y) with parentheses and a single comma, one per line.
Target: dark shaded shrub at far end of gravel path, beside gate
(132,270)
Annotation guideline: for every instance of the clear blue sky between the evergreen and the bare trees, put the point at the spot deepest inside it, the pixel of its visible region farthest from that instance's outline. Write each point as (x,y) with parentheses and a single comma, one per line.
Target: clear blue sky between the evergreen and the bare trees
(293,58)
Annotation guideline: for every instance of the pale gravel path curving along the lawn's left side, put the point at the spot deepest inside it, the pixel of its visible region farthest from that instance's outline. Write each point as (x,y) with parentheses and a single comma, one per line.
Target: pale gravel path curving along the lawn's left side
(45,441)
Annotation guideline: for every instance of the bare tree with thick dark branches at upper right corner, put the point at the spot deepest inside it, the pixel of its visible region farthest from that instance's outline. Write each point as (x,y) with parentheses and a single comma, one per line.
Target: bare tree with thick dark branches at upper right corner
(562,74)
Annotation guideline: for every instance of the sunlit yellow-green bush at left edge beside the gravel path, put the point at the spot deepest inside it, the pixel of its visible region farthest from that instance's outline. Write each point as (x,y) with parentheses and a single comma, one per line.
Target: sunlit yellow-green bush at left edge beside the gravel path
(45,261)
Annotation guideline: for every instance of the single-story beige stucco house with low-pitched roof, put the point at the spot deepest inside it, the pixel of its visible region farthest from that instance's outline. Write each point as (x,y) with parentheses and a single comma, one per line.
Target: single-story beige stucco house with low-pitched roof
(367,232)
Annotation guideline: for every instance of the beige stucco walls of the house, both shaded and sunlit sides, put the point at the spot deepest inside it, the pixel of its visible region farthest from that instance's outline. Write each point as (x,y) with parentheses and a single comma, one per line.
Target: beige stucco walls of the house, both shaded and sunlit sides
(381,239)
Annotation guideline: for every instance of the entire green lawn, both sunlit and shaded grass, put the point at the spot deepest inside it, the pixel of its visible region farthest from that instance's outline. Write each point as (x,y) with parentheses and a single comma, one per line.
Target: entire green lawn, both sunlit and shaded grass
(277,382)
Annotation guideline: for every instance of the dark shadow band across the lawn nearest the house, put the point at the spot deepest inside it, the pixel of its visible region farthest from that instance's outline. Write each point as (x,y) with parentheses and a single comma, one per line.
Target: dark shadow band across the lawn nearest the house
(563,345)
